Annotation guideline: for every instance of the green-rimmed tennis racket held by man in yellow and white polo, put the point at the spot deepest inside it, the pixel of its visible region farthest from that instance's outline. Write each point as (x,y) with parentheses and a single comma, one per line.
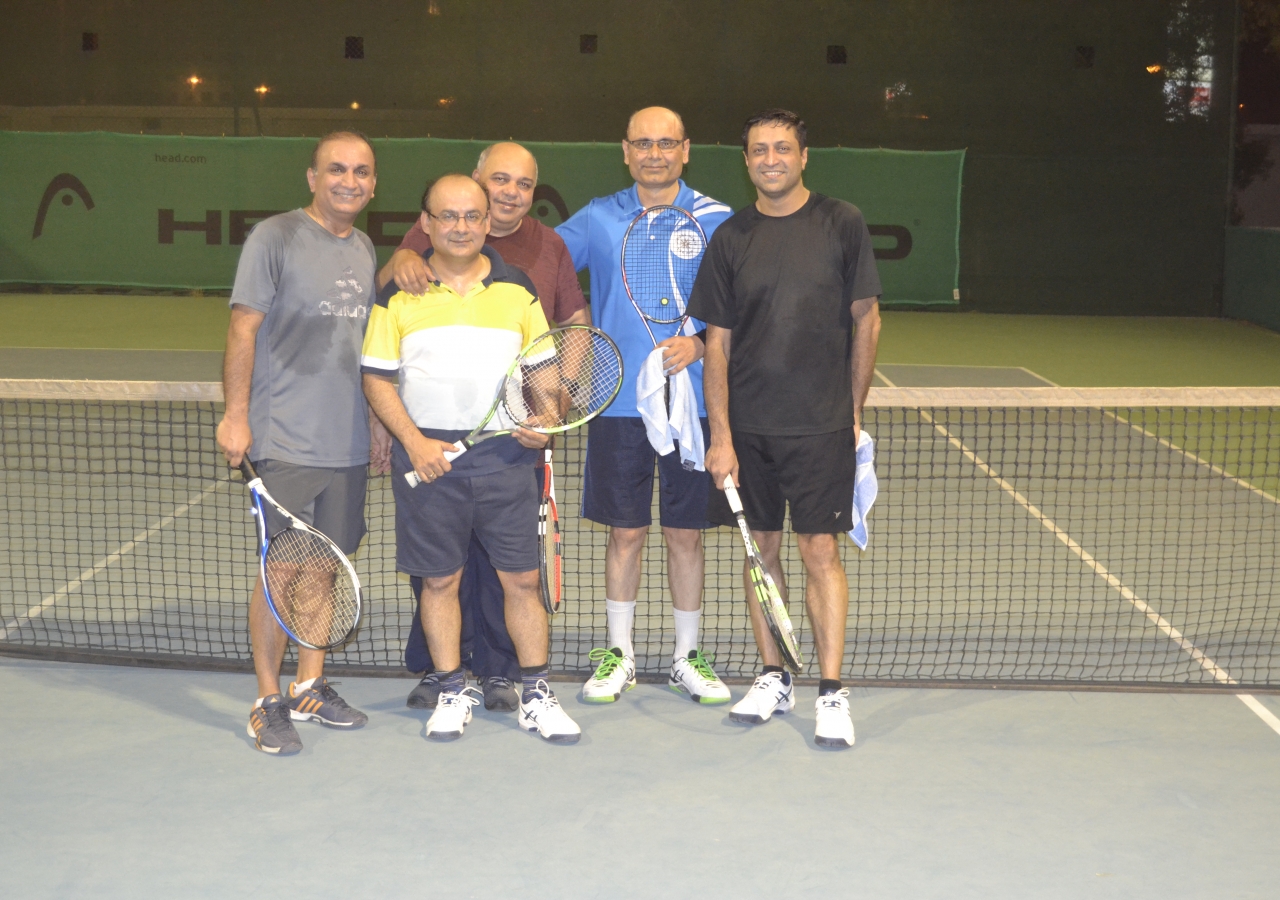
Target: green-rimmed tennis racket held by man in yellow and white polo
(561,381)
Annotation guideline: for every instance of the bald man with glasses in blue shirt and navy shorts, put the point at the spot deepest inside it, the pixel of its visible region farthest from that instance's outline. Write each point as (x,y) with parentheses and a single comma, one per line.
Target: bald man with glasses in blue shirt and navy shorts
(619,479)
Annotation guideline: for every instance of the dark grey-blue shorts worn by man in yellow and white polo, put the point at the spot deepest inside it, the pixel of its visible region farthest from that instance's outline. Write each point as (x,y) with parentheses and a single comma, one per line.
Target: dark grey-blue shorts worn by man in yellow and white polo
(435,522)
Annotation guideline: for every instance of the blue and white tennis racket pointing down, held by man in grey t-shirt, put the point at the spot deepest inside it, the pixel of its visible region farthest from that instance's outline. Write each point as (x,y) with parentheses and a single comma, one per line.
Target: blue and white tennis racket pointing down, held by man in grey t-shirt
(312,588)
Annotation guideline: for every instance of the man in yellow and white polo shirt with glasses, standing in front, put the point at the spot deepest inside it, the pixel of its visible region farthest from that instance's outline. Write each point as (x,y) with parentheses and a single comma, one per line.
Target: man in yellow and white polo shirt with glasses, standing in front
(451,348)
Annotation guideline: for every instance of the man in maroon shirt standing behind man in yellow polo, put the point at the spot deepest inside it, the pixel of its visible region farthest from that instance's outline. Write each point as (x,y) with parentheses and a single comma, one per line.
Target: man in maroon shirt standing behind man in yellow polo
(510,175)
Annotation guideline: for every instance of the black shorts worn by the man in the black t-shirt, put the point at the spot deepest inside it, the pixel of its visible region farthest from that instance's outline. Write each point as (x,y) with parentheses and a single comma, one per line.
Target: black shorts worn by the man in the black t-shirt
(813,473)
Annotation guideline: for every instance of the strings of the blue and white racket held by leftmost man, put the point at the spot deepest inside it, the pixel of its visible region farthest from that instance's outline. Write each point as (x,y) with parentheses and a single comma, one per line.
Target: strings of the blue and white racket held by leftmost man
(312,590)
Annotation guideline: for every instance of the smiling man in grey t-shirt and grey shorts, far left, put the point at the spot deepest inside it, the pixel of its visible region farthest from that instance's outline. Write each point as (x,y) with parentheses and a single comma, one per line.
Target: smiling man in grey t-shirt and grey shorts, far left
(295,404)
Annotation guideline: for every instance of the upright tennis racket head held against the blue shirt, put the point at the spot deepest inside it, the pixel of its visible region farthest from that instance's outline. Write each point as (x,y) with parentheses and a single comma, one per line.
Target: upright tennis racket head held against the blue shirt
(661,254)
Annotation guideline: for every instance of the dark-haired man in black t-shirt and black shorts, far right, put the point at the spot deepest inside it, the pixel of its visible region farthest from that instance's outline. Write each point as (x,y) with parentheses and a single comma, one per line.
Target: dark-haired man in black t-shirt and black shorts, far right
(792,300)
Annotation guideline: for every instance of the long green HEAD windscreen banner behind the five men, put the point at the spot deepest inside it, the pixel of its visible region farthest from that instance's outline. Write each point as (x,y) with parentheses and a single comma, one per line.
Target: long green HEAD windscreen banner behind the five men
(173,212)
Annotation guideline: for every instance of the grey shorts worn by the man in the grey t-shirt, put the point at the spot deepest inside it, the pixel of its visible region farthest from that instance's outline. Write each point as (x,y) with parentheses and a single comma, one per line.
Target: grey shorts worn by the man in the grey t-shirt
(332,501)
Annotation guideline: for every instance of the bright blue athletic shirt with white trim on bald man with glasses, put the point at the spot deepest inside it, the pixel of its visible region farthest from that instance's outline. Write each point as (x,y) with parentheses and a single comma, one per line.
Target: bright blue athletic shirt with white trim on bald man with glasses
(595,240)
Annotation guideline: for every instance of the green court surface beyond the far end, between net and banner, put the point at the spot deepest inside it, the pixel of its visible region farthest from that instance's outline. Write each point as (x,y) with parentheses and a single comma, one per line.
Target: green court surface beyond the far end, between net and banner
(1078,351)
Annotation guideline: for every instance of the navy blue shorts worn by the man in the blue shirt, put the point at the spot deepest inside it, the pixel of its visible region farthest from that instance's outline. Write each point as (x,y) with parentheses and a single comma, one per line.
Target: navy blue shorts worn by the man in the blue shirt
(618,486)
